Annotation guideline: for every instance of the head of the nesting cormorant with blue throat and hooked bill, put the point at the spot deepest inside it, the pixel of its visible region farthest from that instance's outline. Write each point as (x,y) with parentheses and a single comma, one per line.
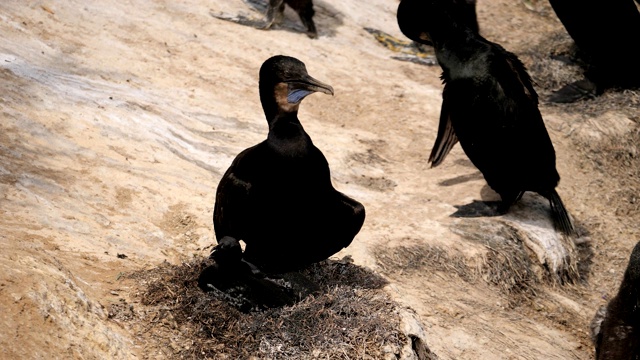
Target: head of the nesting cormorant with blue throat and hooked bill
(284,82)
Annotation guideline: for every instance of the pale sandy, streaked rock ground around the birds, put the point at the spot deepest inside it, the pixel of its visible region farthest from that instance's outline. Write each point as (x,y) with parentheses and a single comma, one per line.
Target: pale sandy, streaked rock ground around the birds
(117,119)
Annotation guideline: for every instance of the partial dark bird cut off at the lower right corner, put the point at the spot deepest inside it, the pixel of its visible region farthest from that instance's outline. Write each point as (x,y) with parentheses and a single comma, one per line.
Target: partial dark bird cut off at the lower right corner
(618,336)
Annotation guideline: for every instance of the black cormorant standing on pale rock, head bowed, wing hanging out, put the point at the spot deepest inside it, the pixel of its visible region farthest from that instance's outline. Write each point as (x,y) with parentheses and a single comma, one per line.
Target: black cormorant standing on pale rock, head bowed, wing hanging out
(488,104)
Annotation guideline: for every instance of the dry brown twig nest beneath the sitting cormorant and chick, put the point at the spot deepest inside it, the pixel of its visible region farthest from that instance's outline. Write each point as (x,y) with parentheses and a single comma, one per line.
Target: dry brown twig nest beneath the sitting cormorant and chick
(351,318)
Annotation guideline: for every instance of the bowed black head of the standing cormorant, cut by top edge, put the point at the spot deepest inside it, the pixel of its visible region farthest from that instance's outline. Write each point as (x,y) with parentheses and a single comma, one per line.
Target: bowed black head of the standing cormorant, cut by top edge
(419,20)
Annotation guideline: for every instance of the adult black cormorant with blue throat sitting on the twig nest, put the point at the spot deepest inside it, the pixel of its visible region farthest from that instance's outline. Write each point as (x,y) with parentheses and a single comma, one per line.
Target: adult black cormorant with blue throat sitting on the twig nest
(277,196)
